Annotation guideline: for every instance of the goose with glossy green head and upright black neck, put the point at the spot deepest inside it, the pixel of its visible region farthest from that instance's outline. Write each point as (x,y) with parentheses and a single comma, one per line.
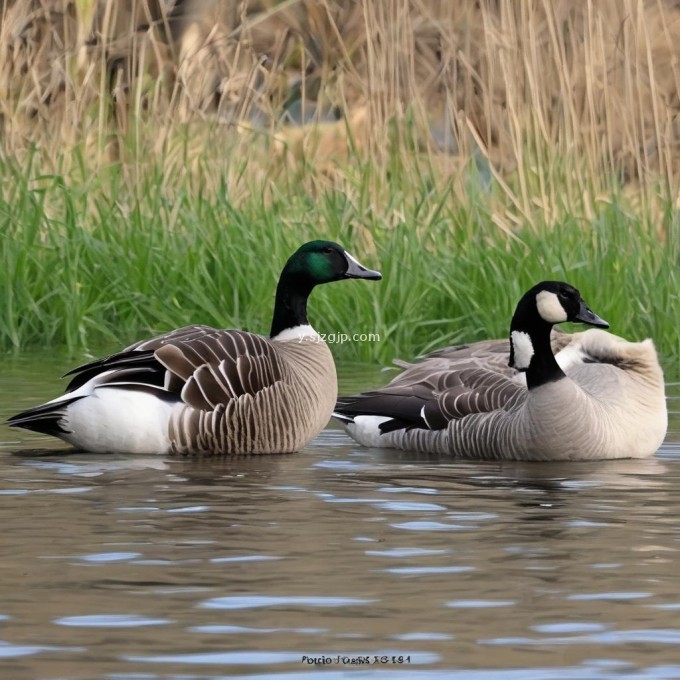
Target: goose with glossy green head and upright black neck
(199,390)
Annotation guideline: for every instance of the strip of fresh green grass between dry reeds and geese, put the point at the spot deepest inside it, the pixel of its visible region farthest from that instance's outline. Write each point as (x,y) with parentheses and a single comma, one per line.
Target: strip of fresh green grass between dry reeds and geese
(104,260)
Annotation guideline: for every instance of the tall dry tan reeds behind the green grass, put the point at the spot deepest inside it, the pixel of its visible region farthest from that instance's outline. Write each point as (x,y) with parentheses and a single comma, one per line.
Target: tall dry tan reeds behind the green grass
(557,101)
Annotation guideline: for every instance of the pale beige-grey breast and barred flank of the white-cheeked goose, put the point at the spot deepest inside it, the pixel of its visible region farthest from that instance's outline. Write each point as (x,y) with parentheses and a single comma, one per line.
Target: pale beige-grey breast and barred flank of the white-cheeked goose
(614,409)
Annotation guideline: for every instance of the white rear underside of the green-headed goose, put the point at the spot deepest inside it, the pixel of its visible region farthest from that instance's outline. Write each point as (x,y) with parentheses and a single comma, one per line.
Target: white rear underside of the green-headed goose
(109,419)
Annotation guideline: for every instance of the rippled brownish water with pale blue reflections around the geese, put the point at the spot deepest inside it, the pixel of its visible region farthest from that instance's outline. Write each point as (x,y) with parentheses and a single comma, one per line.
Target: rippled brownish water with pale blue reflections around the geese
(371,564)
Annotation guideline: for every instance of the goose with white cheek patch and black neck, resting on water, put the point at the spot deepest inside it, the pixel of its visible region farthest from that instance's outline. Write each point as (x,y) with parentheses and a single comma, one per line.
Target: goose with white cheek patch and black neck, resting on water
(610,403)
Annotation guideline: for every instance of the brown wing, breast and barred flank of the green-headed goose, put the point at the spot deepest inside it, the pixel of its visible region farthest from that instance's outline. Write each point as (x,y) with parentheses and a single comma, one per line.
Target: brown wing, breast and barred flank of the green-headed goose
(238,392)
